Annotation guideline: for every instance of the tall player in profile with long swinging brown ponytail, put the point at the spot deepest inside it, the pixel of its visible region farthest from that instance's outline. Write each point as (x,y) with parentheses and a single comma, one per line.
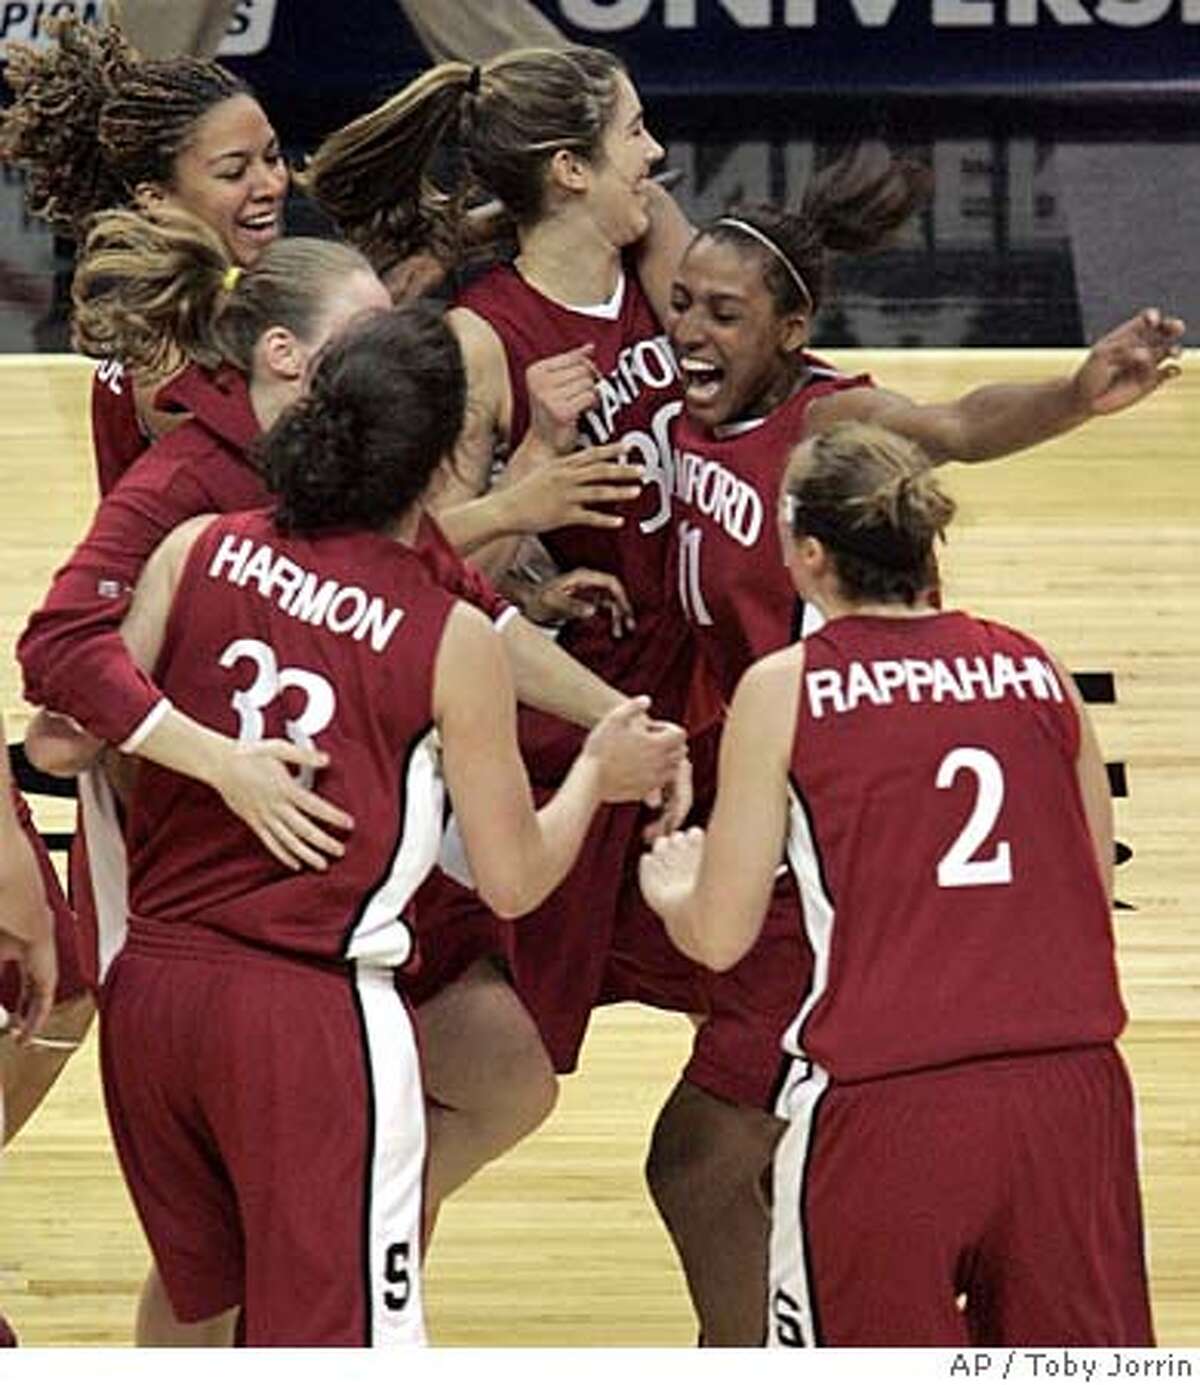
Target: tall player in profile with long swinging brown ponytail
(559,138)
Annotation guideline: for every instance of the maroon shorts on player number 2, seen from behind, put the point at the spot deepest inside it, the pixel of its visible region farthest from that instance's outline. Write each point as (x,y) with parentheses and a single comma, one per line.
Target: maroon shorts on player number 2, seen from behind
(1009,1185)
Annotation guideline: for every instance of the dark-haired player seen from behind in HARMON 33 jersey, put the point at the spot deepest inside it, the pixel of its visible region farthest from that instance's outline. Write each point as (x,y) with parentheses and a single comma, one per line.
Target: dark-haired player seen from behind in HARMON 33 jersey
(285,1066)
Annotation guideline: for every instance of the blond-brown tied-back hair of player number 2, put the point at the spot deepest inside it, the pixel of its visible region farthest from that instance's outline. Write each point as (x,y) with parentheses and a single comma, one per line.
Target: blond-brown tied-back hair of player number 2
(870,497)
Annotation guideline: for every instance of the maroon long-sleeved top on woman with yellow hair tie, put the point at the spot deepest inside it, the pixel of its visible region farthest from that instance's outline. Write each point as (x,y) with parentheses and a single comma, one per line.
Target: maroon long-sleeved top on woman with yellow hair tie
(71,653)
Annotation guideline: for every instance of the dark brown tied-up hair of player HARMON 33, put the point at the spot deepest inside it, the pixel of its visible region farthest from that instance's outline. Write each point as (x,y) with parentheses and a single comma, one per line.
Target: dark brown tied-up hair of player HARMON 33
(385,406)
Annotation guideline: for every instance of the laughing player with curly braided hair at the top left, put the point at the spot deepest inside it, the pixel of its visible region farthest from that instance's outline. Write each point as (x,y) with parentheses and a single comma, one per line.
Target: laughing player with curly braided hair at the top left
(96,127)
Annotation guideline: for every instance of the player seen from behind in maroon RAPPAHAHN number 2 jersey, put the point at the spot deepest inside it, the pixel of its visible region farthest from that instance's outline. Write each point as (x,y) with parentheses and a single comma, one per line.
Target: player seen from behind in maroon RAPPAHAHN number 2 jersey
(961,1125)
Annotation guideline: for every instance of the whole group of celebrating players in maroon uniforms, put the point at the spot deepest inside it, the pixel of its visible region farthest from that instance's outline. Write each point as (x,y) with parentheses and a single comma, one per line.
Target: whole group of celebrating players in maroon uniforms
(361,847)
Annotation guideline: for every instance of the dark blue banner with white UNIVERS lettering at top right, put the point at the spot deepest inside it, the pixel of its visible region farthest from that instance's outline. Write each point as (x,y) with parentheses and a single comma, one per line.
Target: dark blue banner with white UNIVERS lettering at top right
(965,46)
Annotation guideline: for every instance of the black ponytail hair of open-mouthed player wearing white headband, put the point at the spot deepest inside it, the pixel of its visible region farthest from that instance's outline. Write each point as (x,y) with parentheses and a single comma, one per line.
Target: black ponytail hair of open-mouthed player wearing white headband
(853,207)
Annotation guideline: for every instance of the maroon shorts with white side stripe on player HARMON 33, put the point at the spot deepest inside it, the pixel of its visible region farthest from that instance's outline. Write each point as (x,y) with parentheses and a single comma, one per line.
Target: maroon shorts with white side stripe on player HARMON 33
(270,1121)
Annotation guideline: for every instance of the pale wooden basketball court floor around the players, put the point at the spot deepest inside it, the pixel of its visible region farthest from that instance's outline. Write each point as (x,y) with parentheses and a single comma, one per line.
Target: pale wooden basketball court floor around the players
(1091,542)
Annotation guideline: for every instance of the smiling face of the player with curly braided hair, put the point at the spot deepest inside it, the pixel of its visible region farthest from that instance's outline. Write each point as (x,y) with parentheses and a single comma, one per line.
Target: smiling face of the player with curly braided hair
(232,175)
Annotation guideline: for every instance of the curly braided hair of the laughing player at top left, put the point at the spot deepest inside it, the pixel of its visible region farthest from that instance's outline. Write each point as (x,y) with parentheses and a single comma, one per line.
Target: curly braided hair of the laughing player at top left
(92,120)
